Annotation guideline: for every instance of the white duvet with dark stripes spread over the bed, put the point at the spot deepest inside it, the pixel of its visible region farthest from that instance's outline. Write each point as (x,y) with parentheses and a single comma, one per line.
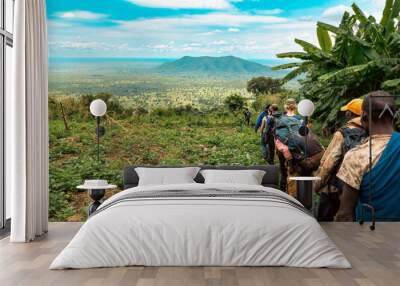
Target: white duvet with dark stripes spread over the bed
(200,232)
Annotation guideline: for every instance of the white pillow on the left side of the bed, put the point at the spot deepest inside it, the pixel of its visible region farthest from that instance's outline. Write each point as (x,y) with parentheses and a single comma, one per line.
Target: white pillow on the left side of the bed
(166,176)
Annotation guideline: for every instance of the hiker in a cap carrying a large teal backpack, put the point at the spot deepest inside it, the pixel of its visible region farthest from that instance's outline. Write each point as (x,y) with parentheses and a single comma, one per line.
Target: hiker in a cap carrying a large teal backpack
(294,159)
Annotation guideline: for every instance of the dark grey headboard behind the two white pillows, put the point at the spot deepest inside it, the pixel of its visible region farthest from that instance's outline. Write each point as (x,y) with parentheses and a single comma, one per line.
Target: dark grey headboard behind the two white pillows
(270,179)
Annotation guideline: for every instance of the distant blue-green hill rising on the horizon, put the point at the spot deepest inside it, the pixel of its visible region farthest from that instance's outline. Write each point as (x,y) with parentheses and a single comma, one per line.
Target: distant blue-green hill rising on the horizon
(228,65)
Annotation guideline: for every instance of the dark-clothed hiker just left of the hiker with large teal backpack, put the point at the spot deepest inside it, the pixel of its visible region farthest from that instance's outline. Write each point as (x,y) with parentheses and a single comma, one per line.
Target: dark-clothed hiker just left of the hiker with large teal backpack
(267,135)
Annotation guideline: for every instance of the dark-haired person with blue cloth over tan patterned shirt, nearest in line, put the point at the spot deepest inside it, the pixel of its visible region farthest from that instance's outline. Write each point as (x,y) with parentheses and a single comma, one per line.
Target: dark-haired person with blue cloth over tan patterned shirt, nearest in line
(354,172)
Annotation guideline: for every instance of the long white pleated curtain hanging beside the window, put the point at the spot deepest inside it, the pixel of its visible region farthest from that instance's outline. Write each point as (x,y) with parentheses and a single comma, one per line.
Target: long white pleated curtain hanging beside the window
(27,124)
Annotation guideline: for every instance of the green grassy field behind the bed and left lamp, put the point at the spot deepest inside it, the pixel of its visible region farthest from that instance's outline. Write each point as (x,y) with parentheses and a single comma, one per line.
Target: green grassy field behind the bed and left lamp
(185,139)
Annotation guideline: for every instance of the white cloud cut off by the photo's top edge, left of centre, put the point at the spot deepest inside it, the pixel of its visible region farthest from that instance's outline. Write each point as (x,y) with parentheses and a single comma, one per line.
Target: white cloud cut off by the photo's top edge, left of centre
(184,4)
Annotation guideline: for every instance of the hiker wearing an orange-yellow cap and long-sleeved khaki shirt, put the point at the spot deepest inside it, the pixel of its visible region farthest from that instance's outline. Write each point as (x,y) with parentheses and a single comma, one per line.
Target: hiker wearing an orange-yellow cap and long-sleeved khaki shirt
(344,139)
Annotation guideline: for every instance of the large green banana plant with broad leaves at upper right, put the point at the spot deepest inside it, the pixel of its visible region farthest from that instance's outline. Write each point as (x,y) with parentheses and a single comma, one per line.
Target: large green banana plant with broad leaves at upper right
(364,57)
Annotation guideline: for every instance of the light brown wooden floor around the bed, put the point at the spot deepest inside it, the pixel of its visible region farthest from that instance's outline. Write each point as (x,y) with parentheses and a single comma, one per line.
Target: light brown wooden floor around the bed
(375,257)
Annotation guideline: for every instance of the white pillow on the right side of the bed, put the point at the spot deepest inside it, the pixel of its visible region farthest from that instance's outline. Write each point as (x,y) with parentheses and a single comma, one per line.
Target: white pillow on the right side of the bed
(247,177)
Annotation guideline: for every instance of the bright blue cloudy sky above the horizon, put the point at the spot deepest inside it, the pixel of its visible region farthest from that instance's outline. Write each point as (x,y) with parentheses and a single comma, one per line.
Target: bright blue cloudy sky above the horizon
(252,29)
